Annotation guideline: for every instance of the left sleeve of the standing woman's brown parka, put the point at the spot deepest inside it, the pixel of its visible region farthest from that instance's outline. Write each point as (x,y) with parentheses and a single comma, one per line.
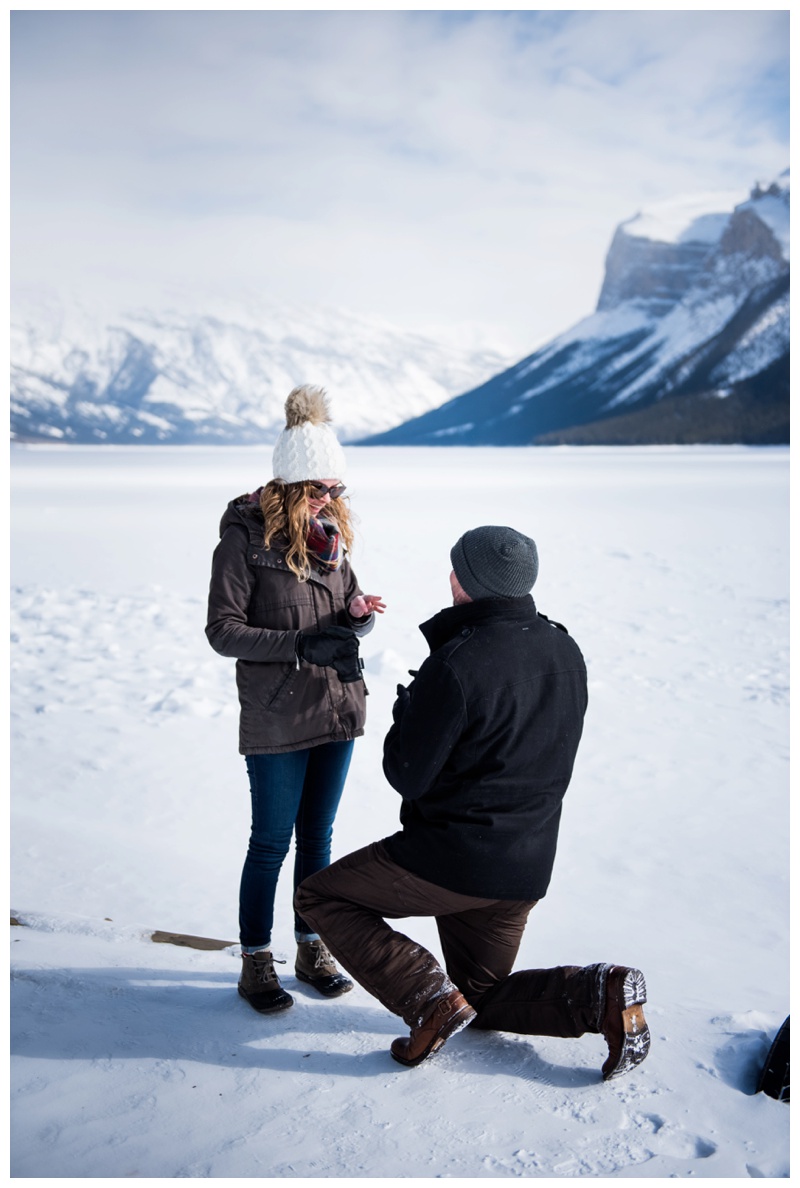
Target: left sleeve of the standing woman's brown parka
(229,599)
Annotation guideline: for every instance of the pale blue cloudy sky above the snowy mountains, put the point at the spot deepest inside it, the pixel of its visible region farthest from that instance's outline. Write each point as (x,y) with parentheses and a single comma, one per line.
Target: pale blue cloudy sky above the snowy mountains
(449,170)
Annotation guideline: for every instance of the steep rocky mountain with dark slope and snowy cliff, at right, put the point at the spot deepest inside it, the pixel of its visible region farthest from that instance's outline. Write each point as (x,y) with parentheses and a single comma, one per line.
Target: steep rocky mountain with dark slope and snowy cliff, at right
(690,343)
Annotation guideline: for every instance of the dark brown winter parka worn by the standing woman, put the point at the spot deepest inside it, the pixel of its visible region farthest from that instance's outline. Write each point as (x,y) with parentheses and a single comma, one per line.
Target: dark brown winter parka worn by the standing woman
(256,609)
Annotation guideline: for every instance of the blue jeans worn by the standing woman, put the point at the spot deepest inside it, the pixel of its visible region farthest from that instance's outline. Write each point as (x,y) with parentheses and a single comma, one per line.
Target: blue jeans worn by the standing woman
(297,792)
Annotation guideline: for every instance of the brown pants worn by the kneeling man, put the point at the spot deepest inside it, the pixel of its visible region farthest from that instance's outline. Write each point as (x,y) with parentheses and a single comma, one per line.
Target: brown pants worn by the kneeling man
(349,905)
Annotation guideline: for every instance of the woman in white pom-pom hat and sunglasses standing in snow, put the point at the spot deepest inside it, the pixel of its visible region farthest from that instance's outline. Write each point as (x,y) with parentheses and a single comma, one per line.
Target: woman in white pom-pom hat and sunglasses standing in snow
(286,604)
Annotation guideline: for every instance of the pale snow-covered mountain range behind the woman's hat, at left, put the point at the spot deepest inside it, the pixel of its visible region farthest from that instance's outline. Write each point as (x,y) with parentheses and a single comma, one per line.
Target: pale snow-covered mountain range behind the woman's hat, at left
(223,378)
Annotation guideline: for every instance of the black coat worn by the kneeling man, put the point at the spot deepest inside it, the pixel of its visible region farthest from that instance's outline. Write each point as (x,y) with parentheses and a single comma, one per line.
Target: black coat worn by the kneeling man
(483,747)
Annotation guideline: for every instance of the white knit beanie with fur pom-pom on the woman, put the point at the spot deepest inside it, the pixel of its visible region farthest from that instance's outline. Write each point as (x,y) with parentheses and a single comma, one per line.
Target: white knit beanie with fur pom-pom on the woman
(308,447)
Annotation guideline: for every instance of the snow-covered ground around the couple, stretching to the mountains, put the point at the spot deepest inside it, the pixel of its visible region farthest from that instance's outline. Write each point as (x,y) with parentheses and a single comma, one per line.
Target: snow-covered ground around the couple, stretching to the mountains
(130,813)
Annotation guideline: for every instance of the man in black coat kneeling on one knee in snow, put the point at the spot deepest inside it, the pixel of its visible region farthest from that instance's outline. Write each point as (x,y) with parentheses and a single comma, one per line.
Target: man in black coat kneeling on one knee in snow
(482,751)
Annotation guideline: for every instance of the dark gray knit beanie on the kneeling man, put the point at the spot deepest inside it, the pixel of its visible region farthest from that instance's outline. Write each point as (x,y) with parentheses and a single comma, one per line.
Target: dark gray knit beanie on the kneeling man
(495,563)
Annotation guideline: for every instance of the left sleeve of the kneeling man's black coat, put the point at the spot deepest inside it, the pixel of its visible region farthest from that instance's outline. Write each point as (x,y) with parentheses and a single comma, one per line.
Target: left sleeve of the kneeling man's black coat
(430,718)
